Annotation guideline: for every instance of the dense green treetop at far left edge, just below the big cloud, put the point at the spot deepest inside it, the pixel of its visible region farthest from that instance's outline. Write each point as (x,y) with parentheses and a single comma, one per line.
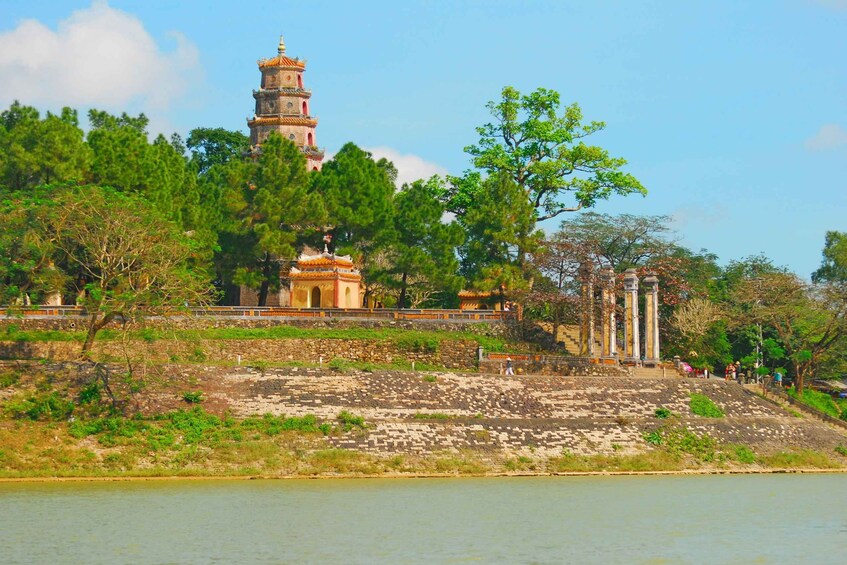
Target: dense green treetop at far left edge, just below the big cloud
(35,151)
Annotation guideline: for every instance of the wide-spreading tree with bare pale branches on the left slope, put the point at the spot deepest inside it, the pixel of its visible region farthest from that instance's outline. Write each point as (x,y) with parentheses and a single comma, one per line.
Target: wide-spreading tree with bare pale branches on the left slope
(133,262)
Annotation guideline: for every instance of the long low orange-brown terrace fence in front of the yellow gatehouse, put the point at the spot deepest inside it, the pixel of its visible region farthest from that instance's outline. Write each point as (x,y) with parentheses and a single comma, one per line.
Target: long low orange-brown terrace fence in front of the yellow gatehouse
(289,313)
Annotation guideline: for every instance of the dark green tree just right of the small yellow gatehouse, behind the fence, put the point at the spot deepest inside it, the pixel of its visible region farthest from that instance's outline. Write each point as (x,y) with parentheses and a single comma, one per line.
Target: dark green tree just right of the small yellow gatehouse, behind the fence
(422,254)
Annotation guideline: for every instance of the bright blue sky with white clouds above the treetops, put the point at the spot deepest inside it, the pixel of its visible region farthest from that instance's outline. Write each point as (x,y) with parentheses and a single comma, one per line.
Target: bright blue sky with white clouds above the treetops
(733,114)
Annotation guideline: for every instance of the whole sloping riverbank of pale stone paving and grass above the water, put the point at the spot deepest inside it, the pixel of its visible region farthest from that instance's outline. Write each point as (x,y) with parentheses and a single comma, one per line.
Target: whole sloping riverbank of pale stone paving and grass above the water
(192,420)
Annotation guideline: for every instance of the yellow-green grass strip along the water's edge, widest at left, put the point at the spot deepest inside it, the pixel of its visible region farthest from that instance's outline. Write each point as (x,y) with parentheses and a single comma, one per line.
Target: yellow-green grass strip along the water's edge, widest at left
(194,443)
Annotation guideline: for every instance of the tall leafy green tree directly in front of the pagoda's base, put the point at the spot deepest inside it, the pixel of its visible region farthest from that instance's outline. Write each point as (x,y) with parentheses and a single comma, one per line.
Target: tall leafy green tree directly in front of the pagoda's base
(268,203)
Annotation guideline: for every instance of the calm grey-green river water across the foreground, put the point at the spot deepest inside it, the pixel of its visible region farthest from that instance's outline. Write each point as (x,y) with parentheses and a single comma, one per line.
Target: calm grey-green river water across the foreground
(670,519)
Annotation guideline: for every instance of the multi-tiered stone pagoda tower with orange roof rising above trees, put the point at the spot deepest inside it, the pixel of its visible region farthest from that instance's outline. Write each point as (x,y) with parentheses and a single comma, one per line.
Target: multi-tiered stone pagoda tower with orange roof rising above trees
(282,105)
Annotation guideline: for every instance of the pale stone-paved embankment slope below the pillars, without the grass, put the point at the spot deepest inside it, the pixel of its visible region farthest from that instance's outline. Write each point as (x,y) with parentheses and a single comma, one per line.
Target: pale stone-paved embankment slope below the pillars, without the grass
(541,415)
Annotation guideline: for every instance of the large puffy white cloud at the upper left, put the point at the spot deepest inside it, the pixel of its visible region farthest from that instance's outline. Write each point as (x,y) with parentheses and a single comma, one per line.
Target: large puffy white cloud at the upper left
(98,56)
